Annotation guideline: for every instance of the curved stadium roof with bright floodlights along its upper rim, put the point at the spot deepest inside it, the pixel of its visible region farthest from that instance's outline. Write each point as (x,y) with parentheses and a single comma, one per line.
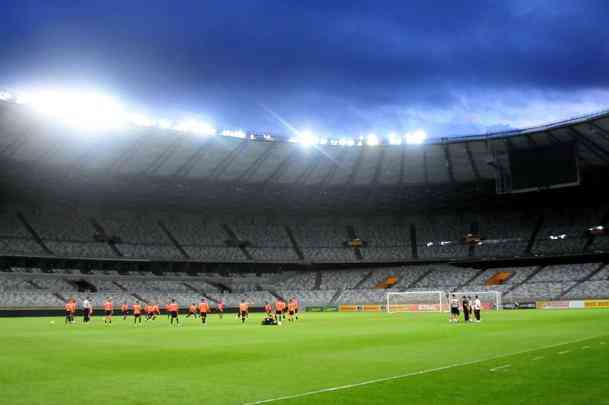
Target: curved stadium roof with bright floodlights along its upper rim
(176,163)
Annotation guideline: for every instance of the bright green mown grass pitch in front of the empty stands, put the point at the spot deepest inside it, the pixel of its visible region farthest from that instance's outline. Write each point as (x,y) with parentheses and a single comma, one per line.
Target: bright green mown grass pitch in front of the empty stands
(512,357)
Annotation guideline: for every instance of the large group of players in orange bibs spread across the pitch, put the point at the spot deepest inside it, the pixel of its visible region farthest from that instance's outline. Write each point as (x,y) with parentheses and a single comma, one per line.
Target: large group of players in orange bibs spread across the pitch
(150,312)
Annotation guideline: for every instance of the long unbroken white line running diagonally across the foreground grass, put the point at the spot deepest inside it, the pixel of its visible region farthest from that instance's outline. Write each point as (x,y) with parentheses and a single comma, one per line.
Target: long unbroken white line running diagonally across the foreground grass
(414,373)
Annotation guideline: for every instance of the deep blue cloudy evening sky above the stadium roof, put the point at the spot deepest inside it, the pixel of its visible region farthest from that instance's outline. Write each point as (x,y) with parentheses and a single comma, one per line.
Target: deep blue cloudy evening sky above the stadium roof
(340,67)
